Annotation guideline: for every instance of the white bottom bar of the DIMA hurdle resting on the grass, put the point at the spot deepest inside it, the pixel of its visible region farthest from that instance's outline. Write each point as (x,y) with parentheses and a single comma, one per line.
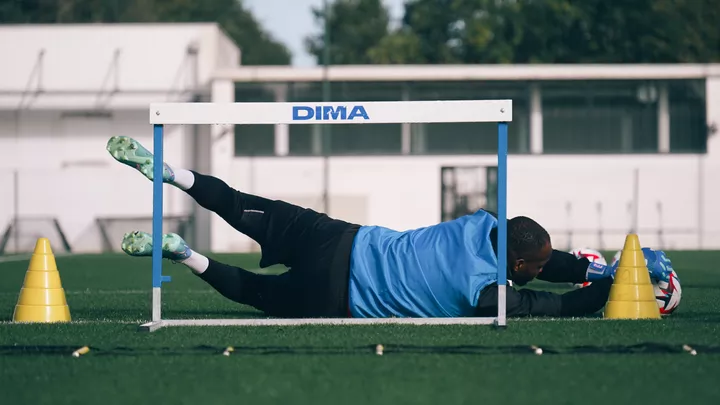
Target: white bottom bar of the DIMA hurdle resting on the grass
(153,326)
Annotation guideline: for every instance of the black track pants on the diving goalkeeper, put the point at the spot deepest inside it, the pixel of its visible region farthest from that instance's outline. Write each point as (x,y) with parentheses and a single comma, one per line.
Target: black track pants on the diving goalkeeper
(315,248)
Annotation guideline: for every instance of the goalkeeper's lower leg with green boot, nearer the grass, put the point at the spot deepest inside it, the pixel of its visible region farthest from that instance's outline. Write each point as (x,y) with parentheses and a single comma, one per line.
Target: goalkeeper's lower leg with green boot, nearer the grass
(275,295)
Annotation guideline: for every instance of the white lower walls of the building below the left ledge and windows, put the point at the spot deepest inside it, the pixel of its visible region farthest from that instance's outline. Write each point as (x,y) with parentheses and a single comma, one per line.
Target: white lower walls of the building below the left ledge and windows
(64,171)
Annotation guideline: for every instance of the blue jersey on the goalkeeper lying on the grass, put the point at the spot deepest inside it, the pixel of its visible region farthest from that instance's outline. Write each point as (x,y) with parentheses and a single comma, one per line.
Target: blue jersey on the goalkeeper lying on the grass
(437,271)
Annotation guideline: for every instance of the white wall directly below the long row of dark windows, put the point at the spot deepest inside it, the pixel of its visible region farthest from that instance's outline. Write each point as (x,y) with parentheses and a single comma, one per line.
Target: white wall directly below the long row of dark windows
(675,193)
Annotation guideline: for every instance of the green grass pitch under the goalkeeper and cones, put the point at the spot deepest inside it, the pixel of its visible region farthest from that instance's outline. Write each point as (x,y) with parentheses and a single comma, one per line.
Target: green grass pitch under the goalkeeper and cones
(585,361)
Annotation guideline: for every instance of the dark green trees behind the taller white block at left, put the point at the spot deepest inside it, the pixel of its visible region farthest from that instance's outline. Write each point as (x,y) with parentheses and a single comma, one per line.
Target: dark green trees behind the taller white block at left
(258,48)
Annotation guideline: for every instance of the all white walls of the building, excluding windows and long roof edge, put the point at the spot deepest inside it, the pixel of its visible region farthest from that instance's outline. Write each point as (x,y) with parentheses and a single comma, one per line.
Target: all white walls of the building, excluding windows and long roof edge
(62,168)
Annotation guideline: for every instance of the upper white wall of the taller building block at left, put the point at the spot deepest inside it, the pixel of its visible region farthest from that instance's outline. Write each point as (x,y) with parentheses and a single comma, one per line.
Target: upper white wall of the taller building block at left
(145,62)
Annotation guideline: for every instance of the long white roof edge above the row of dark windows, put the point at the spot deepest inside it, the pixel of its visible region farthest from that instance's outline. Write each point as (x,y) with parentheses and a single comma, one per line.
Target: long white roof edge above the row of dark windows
(470,72)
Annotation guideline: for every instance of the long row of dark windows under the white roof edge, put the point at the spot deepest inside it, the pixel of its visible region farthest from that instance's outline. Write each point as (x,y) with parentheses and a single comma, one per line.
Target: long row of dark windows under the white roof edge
(596,116)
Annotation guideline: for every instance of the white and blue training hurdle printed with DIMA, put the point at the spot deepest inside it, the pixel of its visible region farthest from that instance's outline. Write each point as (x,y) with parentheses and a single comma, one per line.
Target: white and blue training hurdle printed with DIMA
(395,112)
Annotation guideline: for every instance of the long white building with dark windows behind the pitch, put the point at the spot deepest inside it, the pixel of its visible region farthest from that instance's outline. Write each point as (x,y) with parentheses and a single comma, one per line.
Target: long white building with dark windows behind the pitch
(596,151)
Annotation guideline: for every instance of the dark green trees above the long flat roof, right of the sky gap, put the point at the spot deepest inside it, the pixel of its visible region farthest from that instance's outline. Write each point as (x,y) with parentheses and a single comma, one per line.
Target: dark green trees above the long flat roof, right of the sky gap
(527,31)
